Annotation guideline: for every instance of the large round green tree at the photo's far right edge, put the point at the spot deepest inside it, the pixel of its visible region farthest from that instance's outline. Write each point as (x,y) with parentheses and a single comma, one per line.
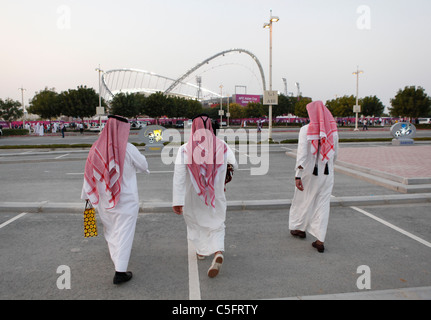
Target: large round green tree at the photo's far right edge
(411,102)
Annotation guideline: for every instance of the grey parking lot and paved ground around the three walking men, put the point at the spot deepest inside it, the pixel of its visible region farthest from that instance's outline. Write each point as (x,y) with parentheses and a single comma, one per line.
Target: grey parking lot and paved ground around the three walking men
(378,244)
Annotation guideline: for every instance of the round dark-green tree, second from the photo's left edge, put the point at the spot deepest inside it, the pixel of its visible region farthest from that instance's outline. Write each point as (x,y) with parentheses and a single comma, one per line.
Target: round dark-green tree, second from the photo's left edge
(46,104)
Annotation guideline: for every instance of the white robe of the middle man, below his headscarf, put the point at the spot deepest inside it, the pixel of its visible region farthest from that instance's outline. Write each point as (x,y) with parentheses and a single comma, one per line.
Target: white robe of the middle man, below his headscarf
(205,224)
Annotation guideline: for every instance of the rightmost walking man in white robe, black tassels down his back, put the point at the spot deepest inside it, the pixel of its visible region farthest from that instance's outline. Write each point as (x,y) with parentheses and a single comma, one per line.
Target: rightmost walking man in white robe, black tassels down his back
(314,180)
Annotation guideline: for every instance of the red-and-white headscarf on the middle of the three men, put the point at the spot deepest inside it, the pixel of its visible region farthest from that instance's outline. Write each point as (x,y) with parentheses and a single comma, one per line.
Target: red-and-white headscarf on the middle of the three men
(205,155)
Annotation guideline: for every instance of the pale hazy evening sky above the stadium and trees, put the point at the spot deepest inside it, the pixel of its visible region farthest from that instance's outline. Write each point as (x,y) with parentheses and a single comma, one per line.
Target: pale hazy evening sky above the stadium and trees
(316,43)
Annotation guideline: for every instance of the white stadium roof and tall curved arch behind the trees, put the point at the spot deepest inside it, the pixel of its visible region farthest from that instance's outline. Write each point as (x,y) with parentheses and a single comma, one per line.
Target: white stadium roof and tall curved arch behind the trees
(113,81)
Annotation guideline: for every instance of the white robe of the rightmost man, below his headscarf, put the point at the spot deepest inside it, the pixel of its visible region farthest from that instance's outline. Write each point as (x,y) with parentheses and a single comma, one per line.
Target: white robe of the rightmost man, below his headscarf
(310,208)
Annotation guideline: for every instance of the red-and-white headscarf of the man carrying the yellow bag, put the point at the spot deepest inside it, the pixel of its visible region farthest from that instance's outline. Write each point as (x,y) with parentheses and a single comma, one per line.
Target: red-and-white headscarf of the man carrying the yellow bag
(105,163)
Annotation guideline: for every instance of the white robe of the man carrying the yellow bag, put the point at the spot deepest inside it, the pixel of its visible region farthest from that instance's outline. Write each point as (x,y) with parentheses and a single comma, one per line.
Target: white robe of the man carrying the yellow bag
(119,223)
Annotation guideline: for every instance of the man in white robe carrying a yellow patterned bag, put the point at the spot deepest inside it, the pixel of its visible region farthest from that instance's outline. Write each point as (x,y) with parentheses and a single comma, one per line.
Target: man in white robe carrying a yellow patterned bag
(111,186)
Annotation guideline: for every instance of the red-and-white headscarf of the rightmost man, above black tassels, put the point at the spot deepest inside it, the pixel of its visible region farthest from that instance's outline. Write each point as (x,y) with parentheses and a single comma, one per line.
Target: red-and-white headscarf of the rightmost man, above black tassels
(323,128)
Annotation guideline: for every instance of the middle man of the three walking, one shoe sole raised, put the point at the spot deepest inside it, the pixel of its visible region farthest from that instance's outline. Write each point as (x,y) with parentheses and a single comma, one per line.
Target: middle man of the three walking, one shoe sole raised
(199,190)
